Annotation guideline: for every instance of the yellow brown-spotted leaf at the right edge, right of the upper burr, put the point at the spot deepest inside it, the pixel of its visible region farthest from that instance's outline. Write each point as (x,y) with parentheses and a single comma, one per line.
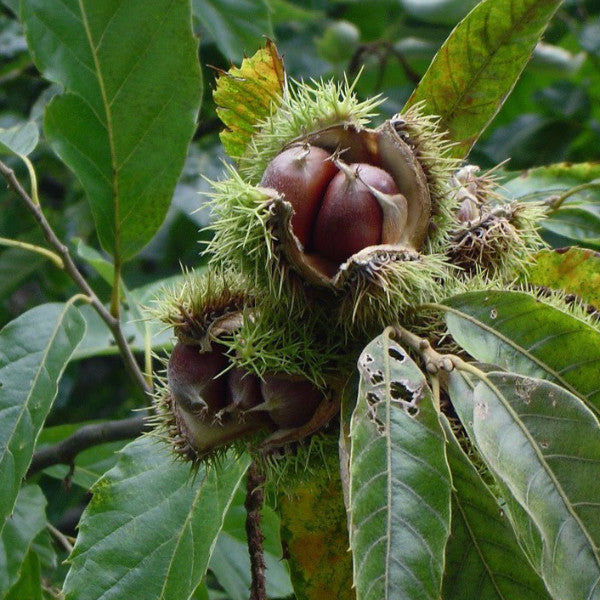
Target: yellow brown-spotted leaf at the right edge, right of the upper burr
(573,270)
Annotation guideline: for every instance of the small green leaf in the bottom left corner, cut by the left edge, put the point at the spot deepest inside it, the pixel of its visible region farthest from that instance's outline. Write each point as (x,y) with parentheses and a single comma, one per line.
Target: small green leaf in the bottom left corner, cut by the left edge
(27,520)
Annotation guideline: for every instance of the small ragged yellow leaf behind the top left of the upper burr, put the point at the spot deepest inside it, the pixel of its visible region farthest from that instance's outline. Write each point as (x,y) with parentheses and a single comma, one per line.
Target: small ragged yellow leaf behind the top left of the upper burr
(246,95)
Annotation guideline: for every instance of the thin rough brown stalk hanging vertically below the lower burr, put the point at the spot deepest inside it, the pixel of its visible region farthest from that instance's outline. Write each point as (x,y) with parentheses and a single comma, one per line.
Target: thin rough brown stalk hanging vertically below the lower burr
(253,504)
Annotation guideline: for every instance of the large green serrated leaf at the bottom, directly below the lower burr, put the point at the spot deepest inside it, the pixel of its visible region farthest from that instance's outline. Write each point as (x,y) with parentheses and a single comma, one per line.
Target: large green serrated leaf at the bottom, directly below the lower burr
(151,526)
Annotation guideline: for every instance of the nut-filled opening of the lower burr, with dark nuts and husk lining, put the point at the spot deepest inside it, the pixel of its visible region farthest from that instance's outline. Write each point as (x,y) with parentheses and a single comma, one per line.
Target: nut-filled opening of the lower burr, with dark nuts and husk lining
(212,403)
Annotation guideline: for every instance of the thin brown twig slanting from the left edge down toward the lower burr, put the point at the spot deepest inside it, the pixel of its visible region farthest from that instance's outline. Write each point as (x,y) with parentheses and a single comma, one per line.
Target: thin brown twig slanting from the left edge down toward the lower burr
(71,269)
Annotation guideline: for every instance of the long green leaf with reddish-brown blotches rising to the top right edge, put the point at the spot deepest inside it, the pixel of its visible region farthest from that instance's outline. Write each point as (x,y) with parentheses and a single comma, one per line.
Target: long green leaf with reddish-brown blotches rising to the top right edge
(478,65)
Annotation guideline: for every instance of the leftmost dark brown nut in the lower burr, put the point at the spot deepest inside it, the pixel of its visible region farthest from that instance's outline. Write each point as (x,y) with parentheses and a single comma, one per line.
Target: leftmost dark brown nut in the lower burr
(194,380)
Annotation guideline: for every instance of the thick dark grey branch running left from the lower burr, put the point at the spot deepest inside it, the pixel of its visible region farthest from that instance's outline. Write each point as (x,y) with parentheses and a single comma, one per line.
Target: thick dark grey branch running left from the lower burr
(65,451)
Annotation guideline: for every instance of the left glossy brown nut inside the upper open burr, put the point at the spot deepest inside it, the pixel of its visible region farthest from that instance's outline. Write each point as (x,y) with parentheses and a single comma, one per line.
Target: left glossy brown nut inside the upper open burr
(301,173)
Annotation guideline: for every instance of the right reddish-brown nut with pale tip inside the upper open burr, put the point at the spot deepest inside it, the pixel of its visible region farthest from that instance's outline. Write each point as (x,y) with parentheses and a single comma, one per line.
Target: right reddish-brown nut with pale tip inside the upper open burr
(351,217)
